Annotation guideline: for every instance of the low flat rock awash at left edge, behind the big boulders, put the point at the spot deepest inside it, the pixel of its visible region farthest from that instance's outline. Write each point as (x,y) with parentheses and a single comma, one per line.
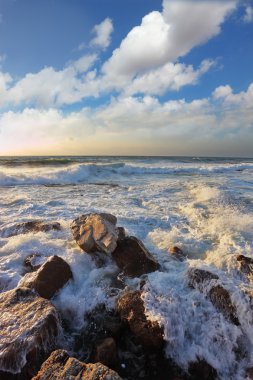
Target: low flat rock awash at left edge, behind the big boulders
(27,227)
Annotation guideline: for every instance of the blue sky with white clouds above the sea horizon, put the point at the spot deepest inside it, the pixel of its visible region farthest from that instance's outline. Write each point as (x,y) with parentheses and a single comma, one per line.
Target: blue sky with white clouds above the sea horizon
(129,77)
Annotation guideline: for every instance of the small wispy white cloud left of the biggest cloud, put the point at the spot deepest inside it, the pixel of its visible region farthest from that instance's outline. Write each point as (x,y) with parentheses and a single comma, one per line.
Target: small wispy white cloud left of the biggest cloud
(102,34)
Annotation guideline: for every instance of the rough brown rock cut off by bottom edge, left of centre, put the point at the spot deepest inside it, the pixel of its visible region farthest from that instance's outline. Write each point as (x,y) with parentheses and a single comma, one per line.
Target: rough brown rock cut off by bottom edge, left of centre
(60,366)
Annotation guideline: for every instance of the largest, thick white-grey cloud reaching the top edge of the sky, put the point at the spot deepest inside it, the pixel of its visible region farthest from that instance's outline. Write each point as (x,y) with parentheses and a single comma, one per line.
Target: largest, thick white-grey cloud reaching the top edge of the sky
(163,37)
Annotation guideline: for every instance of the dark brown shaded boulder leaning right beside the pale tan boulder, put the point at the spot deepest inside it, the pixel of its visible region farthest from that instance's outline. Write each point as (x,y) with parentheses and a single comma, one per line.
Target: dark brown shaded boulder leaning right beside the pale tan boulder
(133,258)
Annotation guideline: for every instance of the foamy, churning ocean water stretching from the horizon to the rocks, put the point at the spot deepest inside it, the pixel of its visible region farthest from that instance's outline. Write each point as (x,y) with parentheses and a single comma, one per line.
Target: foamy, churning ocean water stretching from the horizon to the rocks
(202,205)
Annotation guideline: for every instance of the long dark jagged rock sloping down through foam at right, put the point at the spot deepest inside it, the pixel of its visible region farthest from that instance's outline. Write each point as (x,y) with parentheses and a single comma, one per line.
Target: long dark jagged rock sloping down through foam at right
(206,282)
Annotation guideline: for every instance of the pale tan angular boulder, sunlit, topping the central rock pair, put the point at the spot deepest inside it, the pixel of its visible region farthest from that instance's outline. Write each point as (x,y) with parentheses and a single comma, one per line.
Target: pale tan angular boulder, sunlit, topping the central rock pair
(95,232)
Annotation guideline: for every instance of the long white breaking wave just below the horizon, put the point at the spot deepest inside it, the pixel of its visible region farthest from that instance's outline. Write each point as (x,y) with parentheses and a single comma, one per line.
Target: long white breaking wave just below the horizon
(96,173)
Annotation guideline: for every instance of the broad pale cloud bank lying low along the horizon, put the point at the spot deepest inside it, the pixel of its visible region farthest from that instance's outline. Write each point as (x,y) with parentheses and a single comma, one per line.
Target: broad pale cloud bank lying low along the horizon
(228,118)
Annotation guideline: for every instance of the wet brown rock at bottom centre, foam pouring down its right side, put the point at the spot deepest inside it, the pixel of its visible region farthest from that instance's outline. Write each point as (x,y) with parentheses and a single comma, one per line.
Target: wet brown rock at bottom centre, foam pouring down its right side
(131,309)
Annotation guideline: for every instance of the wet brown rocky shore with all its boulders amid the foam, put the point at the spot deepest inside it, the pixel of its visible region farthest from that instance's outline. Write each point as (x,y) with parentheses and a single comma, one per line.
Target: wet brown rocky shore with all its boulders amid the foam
(120,343)
